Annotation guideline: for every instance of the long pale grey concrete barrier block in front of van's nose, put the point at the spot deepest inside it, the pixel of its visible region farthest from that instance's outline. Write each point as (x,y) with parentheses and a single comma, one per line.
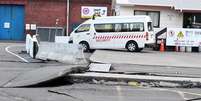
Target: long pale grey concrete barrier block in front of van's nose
(61,52)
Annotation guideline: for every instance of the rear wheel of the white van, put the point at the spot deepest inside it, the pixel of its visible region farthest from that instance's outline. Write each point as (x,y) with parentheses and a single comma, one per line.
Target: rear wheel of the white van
(132,46)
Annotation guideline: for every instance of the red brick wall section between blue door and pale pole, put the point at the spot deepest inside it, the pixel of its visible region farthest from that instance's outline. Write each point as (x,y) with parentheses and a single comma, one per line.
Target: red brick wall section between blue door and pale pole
(45,12)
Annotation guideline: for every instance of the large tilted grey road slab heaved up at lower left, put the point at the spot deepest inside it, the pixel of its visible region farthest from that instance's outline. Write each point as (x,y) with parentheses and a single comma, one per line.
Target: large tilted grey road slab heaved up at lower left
(41,75)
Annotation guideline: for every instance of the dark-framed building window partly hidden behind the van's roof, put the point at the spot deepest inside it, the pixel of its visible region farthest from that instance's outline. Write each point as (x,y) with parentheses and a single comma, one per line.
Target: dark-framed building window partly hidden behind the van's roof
(155,16)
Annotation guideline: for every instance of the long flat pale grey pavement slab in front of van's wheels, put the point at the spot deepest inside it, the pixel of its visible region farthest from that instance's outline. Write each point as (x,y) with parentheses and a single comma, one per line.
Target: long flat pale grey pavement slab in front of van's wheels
(177,59)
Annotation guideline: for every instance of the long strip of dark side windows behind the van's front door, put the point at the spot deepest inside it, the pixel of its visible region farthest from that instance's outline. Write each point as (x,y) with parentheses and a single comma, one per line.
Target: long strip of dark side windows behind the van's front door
(120,27)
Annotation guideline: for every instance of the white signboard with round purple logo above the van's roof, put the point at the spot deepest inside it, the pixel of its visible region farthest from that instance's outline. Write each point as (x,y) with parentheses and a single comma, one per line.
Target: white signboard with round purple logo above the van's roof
(89,11)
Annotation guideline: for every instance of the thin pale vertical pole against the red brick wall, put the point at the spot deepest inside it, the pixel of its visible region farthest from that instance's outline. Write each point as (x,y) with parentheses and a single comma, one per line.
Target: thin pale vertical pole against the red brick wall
(67,17)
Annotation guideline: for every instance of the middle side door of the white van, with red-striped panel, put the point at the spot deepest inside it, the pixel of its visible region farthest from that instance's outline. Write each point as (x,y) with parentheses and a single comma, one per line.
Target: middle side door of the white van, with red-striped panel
(102,36)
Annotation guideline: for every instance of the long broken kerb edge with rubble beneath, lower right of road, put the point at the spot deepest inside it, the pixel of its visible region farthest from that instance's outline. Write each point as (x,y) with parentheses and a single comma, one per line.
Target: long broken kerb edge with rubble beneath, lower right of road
(140,80)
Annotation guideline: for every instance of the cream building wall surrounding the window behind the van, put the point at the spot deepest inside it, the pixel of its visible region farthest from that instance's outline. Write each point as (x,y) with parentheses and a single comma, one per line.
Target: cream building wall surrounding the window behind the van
(168,17)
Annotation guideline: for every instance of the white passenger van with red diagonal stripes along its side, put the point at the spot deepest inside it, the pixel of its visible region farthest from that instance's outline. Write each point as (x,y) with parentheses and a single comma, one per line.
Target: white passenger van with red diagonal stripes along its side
(114,32)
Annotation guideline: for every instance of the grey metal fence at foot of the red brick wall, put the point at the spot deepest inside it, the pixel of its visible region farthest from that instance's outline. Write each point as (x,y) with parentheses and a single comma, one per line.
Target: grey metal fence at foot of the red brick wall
(48,33)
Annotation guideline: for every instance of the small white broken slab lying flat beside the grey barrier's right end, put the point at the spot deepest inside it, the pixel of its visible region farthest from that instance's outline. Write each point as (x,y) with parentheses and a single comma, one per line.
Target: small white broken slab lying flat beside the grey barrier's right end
(99,67)
